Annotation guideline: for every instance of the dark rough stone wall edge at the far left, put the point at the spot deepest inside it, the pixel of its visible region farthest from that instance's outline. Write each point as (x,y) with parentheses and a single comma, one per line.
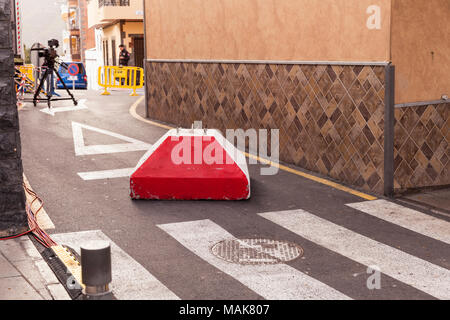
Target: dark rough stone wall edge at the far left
(13,218)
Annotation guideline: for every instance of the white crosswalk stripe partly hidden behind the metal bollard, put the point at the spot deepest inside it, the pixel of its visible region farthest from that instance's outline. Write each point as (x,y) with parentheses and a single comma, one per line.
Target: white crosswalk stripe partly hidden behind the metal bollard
(130,280)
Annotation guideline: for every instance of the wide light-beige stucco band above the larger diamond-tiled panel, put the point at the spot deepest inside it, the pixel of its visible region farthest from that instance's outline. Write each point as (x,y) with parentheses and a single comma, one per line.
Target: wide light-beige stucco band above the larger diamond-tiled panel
(326,30)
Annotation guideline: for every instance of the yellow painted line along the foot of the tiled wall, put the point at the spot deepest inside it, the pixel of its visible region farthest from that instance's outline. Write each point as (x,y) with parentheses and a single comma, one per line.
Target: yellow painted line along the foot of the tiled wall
(327,182)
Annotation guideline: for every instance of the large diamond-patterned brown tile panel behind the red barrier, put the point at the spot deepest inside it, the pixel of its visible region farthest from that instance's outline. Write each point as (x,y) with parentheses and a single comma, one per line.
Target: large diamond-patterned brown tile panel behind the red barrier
(330,117)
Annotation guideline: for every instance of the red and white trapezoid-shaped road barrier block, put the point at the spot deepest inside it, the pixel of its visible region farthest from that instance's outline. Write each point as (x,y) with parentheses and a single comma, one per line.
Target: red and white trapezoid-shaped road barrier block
(191,164)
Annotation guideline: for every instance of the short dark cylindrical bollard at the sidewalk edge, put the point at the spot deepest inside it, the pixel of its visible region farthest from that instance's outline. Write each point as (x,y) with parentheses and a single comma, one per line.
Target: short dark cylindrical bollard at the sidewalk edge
(96,270)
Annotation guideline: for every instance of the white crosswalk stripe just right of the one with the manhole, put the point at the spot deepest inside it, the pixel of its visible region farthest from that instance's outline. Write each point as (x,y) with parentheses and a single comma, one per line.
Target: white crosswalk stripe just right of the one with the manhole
(397,264)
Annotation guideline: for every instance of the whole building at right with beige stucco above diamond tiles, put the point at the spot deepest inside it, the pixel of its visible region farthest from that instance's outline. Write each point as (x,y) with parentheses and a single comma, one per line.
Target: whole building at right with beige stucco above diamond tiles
(357,88)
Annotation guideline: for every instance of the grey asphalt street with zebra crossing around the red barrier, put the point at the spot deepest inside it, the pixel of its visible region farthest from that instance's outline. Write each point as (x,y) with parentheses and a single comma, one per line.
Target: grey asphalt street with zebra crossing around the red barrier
(150,231)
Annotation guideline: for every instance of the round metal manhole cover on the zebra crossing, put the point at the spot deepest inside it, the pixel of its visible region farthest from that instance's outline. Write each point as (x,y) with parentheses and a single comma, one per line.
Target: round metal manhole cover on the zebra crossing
(256,251)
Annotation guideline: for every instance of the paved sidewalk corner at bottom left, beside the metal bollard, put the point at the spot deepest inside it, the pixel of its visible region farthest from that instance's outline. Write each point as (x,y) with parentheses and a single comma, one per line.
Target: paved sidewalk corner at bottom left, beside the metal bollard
(24,275)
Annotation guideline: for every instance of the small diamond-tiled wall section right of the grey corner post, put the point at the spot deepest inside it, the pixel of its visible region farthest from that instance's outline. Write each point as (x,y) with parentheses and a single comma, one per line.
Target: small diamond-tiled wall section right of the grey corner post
(422,146)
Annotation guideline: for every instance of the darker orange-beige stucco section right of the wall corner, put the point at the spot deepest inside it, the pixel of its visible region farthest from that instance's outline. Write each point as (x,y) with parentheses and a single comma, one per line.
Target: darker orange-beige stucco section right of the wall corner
(421,49)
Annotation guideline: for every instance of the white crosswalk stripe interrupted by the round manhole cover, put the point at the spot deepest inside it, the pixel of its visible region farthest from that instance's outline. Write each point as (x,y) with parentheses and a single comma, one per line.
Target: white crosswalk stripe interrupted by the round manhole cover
(274,282)
